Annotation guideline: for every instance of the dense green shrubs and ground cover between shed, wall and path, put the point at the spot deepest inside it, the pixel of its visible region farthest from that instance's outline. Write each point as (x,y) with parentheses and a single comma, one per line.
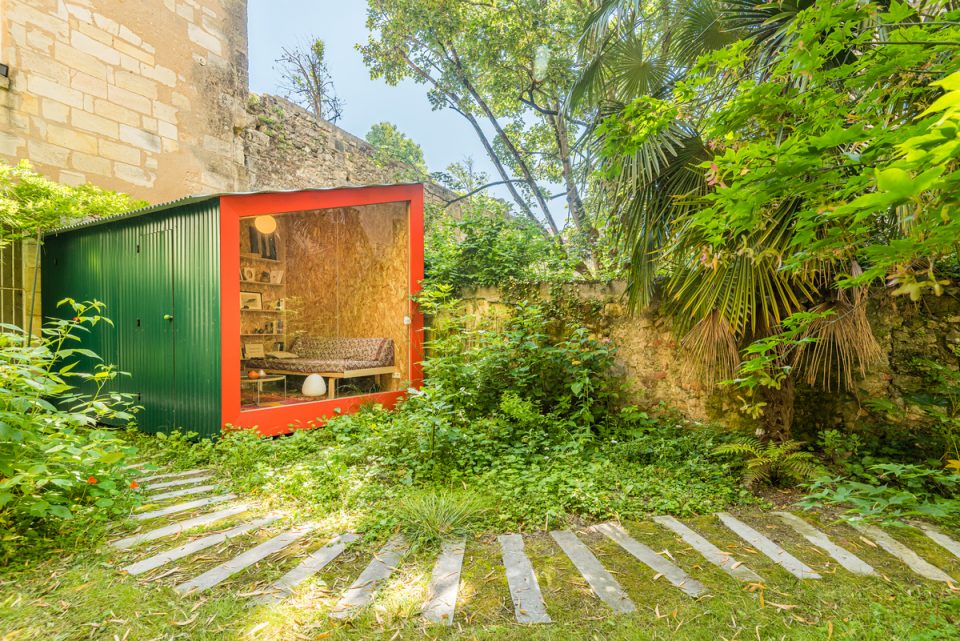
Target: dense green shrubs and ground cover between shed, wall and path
(519,415)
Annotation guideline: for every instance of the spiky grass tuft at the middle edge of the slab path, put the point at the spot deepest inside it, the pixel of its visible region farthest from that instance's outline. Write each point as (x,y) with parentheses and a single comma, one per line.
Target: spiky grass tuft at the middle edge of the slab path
(431,516)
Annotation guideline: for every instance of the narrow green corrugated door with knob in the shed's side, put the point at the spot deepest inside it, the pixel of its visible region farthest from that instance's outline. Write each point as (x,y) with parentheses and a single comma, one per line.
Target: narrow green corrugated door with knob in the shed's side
(155,329)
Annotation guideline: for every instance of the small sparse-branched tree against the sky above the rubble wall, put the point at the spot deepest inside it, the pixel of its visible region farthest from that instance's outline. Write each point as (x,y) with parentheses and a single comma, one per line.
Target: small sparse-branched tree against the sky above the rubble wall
(307,80)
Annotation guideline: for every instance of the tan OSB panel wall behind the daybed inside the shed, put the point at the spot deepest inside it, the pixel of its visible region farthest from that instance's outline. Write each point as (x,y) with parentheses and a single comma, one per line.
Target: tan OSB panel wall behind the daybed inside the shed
(348,275)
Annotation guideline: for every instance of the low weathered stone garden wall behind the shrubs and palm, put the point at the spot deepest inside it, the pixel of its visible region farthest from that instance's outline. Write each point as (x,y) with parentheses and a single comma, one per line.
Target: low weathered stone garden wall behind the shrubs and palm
(656,370)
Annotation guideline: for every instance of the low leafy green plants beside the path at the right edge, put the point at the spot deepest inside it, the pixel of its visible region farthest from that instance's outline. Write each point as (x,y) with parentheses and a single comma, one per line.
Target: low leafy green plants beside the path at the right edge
(889,492)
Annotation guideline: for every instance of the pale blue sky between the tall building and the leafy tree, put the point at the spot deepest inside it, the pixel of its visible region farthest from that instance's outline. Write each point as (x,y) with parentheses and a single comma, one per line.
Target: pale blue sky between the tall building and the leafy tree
(444,136)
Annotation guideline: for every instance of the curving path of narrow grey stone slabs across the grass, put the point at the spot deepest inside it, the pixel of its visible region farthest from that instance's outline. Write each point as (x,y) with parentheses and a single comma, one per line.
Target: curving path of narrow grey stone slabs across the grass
(441,603)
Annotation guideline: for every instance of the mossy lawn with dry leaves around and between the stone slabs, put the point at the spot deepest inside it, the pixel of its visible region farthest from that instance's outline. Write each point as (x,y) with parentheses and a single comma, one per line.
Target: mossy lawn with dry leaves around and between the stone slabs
(78,594)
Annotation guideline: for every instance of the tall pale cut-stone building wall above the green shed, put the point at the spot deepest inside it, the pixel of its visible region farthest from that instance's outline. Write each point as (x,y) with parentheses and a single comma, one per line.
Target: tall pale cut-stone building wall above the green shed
(141,97)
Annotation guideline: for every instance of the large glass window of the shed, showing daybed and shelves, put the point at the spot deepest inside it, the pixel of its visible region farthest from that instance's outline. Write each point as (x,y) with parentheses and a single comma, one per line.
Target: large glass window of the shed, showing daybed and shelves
(324,304)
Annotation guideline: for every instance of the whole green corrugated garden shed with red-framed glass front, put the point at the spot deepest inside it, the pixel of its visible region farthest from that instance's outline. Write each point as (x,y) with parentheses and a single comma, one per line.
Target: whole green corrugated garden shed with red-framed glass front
(267,310)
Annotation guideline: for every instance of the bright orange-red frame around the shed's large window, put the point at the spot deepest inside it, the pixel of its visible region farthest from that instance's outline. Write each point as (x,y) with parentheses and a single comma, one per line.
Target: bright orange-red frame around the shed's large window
(271,421)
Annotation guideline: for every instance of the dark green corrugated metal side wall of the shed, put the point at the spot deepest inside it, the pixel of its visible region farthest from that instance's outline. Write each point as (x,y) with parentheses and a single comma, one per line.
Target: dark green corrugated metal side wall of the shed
(143,268)
